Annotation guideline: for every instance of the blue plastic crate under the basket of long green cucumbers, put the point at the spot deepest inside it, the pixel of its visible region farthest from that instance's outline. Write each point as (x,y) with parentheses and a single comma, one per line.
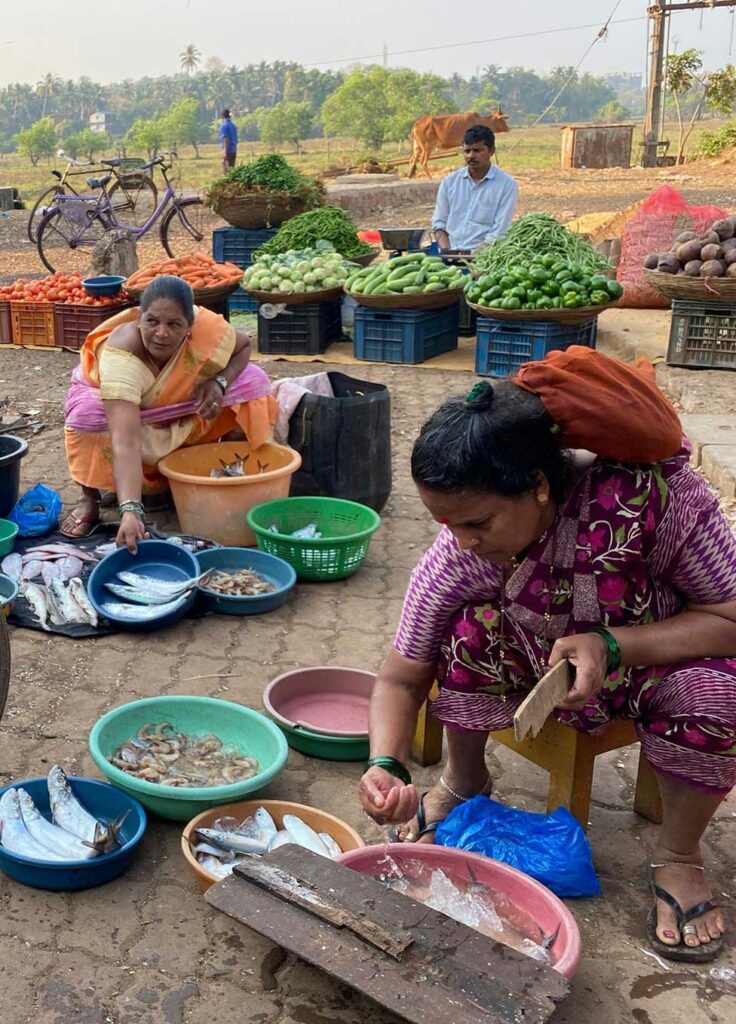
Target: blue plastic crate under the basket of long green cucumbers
(409,336)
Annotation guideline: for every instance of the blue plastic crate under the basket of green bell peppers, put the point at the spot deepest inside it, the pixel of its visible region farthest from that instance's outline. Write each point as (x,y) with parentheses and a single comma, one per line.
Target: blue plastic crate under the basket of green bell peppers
(503,347)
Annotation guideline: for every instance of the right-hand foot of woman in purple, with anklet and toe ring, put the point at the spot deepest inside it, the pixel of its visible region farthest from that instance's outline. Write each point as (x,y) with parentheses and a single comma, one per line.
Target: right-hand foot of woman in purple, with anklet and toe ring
(684,879)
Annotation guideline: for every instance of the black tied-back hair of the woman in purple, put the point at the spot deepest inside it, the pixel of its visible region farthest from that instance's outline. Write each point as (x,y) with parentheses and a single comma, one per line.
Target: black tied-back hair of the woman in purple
(500,440)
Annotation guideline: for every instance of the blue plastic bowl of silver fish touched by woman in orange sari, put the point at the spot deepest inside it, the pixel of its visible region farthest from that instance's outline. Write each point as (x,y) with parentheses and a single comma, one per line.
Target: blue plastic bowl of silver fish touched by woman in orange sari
(157,559)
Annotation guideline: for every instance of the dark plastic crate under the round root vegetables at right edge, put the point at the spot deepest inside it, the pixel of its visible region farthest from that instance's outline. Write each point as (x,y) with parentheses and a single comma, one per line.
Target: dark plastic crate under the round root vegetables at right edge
(703,335)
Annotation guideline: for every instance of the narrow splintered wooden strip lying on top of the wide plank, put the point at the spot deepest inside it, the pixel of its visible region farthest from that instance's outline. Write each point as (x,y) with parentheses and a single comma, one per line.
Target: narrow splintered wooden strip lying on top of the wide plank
(302,893)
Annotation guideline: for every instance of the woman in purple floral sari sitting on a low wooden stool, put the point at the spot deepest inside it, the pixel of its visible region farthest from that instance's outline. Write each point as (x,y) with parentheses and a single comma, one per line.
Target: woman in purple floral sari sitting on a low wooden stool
(628,571)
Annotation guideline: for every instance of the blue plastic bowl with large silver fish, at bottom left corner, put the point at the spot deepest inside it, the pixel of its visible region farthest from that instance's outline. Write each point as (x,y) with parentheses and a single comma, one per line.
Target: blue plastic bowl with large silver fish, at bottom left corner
(107,803)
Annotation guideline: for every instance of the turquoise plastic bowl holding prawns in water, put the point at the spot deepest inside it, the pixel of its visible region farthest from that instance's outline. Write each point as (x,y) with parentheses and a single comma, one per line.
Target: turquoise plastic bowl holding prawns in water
(233,723)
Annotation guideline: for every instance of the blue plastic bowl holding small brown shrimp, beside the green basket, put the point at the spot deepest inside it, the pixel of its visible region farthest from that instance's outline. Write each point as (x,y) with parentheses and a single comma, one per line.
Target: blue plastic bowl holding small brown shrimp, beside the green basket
(274,570)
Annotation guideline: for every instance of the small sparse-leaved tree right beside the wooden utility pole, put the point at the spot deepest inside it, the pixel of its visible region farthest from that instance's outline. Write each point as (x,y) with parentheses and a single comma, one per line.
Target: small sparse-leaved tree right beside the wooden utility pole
(716,91)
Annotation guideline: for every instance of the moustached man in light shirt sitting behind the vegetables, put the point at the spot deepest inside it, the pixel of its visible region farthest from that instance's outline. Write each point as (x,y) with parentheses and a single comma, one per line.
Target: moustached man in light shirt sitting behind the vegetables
(475,204)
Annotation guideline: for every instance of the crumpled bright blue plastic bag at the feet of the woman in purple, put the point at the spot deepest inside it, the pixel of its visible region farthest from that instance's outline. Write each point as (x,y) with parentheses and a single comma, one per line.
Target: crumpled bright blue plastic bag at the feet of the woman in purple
(552,848)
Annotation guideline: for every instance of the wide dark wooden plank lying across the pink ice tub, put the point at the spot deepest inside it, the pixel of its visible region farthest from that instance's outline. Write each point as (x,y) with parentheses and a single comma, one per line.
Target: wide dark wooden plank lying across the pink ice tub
(450,973)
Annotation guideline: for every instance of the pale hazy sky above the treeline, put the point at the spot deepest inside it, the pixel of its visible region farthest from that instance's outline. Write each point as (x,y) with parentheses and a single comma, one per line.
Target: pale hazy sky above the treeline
(78,37)
